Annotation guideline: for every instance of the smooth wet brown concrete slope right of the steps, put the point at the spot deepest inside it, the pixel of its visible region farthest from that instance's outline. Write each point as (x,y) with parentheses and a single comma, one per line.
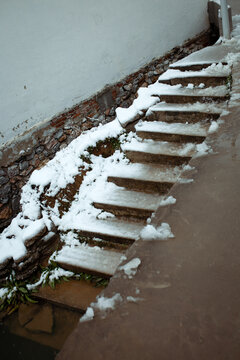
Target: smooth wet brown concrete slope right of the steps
(189,286)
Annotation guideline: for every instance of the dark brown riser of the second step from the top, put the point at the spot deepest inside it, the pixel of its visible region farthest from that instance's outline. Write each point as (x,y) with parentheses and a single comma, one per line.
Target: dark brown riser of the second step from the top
(213,81)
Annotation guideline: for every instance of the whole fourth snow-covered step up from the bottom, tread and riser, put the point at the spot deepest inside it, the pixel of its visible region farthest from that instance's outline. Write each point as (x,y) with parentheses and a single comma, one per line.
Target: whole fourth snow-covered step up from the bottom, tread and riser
(143,177)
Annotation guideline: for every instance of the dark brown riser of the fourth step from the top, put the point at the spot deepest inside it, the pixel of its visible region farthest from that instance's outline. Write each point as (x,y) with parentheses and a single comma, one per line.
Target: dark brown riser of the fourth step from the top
(181,116)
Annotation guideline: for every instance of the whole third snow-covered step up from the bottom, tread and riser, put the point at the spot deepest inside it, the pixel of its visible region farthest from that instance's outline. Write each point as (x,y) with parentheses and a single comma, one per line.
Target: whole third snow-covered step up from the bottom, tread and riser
(122,202)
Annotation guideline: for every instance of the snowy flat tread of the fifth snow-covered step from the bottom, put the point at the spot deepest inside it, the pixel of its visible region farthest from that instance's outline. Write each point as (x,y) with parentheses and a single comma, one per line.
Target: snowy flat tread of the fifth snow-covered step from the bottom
(160,148)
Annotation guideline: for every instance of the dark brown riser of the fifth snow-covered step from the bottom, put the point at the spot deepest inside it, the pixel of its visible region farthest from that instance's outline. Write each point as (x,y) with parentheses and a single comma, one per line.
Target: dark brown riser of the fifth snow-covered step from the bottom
(147,158)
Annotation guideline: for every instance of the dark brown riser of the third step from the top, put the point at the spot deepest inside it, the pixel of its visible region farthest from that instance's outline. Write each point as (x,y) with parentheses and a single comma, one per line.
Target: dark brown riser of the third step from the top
(183,99)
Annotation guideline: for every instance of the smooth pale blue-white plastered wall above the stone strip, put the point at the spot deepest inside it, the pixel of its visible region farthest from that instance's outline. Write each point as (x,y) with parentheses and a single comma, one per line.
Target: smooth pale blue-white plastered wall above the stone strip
(55,53)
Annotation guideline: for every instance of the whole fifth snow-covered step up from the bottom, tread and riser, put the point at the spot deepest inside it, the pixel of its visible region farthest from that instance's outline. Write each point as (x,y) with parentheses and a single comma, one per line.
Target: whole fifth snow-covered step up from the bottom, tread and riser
(150,151)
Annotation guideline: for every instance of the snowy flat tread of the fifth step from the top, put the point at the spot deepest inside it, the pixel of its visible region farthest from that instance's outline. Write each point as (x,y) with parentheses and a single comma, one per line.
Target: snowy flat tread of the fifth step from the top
(173,128)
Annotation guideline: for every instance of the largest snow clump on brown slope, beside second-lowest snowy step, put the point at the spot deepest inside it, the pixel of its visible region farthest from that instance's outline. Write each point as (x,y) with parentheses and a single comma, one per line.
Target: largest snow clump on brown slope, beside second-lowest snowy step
(162,232)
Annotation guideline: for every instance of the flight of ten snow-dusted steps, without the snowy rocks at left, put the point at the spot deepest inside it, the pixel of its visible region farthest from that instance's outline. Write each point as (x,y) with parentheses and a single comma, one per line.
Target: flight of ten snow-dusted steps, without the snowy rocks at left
(165,141)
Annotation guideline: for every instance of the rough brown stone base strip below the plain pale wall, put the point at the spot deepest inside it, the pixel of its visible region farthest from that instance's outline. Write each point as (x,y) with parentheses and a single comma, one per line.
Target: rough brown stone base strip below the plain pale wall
(37,146)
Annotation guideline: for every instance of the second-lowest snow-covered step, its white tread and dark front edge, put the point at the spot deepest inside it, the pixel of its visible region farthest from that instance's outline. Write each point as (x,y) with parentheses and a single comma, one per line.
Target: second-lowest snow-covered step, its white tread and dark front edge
(110,229)
